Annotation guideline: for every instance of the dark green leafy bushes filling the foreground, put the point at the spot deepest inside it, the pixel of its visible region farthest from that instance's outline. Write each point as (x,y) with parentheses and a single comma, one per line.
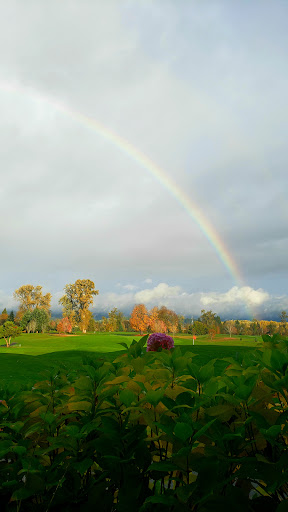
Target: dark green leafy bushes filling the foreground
(150,431)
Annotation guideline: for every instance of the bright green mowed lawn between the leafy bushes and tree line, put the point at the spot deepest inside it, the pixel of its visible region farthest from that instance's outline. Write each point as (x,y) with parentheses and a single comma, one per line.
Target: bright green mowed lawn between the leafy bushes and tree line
(24,363)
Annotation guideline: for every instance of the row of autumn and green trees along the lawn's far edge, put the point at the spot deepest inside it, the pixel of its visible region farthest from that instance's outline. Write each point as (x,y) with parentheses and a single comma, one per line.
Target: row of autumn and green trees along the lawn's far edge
(34,315)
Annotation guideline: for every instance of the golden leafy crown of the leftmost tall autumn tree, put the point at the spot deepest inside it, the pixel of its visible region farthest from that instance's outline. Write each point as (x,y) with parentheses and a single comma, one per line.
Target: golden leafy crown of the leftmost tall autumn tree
(31,297)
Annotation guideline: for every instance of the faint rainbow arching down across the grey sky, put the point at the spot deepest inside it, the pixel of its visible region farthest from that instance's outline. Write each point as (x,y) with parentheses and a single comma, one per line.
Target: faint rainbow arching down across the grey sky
(193,210)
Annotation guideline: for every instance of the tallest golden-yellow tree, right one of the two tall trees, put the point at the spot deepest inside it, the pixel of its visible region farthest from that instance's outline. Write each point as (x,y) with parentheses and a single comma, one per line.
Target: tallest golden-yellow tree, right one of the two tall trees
(76,301)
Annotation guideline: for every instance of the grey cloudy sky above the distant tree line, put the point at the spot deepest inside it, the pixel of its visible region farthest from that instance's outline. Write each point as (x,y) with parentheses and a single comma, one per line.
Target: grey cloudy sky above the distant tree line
(198,88)
